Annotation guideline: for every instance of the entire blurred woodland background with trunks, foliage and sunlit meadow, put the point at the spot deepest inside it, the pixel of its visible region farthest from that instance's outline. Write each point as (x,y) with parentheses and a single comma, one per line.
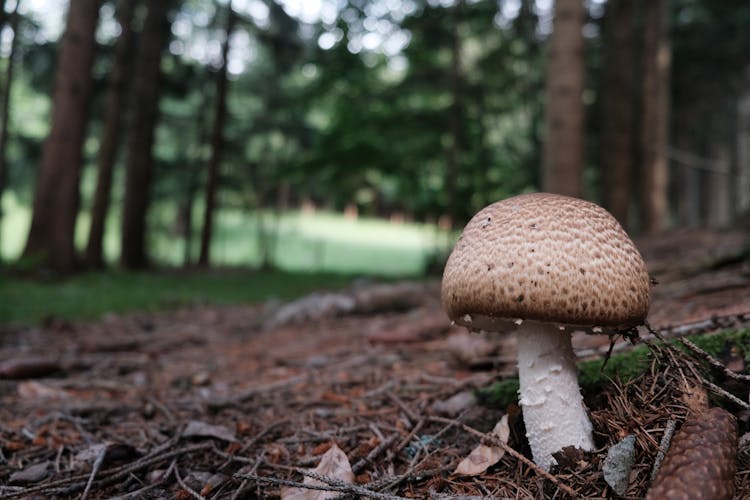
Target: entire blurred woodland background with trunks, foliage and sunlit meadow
(356,136)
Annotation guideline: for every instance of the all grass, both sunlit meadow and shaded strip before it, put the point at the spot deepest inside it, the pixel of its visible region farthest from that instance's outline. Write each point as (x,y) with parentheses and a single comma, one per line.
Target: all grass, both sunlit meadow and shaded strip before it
(311,251)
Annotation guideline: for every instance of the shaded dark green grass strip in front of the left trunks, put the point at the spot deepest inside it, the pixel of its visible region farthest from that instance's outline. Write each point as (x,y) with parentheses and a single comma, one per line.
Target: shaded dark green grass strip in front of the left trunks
(25,301)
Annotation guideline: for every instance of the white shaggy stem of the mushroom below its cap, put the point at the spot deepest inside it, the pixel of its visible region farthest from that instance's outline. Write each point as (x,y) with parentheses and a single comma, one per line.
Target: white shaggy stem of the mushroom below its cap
(553,409)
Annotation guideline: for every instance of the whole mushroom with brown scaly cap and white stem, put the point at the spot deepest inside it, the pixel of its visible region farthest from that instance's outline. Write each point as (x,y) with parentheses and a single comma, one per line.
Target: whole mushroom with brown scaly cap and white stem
(543,265)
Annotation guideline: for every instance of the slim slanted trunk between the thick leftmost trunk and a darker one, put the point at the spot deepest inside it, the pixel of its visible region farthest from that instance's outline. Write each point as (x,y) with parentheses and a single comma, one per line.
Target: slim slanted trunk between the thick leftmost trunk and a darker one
(111,134)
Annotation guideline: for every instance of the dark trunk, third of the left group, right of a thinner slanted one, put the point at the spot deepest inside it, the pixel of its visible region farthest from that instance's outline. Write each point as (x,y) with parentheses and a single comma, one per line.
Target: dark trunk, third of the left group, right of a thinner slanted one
(140,157)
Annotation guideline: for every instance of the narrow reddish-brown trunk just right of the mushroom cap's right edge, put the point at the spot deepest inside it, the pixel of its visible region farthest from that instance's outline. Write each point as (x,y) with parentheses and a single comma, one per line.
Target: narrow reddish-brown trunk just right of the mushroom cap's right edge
(655,115)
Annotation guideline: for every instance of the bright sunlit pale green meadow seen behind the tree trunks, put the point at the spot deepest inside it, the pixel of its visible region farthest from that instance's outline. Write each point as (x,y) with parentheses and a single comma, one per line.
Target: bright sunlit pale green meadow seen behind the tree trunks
(307,242)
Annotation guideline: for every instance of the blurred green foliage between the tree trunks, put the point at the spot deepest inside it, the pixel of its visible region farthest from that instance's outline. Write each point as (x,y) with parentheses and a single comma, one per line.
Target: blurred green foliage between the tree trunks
(350,125)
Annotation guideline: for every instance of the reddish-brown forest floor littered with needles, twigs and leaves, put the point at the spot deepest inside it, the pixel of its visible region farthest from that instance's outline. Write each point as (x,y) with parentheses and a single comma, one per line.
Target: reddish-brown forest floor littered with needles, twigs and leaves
(368,393)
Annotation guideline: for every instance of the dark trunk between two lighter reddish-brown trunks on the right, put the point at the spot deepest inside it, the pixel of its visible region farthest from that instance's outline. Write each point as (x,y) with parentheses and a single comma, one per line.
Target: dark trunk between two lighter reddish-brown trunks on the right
(616,157)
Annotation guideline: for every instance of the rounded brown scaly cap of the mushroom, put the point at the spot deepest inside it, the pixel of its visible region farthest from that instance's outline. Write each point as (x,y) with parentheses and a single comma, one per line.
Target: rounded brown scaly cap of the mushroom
(546,257)
